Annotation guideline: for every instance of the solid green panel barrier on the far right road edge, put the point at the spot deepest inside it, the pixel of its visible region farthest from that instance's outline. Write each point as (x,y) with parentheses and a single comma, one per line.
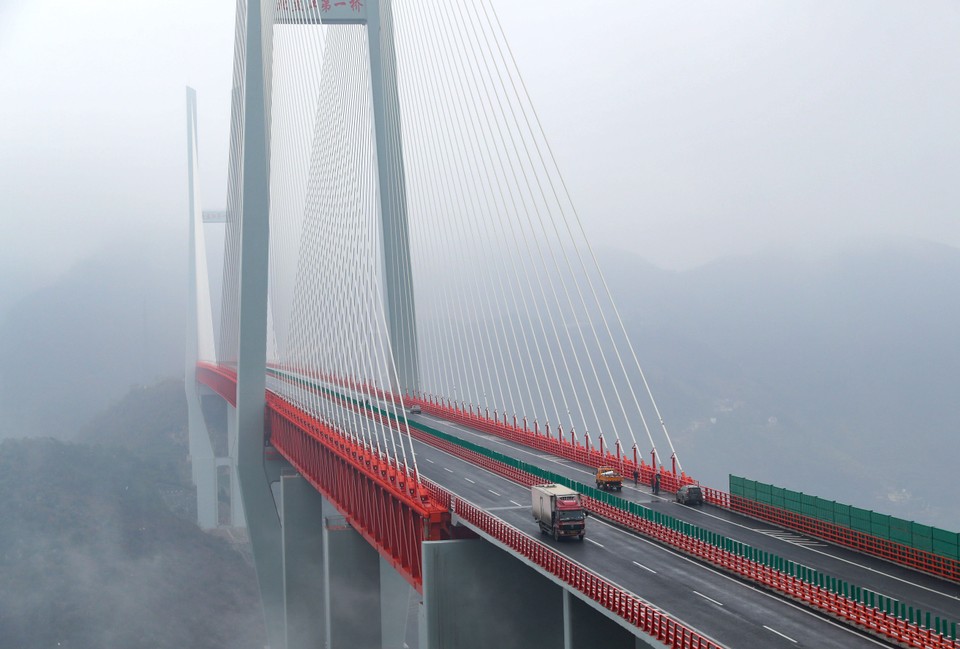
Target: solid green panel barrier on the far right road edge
(913,535)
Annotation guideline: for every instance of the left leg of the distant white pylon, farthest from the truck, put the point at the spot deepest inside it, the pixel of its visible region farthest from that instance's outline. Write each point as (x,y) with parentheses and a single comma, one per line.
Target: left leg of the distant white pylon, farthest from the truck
(199,336)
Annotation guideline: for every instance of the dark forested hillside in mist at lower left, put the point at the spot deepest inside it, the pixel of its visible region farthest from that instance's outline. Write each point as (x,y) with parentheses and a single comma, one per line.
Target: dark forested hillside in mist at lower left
(92,557)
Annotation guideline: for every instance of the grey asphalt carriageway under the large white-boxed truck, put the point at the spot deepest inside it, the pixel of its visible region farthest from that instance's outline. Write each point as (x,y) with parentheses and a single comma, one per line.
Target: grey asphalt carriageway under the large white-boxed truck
(730,612)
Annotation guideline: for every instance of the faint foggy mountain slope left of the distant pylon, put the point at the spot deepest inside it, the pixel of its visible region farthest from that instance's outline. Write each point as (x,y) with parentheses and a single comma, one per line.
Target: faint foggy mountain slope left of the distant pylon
(68,350)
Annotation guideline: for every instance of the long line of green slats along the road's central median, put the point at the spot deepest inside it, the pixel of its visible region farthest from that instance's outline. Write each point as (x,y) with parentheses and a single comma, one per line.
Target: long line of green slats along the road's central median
(808,575)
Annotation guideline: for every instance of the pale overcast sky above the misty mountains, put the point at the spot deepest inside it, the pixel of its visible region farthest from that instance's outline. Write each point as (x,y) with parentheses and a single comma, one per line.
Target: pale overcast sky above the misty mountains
(686,131)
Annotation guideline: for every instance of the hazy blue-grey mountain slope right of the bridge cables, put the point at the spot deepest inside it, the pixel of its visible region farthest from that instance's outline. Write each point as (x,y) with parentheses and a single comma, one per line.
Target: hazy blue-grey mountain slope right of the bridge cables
(839,376)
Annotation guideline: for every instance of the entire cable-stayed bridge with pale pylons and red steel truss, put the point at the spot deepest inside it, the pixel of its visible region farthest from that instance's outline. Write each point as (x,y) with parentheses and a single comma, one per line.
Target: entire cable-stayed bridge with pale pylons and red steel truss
(413,330)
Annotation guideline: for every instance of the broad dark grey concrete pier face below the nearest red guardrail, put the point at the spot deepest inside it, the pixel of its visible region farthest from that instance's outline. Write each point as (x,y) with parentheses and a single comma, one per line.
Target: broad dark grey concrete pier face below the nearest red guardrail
(476,595)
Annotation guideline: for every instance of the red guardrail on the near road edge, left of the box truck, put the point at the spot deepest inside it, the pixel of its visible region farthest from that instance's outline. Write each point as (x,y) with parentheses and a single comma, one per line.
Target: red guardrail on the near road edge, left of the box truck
(626,605)
